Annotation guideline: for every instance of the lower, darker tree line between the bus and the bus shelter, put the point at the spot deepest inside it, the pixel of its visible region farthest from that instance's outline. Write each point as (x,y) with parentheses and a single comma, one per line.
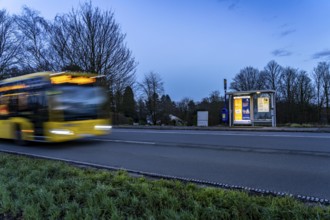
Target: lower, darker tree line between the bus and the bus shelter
(153,106)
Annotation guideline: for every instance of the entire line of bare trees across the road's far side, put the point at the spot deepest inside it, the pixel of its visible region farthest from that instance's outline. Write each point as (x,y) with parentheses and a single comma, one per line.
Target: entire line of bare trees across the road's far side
(89,39)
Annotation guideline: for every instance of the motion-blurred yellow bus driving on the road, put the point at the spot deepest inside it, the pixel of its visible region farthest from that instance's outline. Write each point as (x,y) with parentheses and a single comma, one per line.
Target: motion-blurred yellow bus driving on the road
(52,107)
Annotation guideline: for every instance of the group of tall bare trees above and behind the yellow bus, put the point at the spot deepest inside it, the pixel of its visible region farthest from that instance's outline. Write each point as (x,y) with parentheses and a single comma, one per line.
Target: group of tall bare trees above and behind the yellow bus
(84,39)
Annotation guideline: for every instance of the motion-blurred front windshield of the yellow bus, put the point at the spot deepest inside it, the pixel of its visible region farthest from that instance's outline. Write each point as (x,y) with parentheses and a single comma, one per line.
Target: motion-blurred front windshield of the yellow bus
(78,102)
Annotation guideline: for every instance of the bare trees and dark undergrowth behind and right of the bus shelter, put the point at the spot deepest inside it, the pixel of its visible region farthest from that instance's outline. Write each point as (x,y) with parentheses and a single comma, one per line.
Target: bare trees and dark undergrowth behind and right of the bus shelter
(300,97)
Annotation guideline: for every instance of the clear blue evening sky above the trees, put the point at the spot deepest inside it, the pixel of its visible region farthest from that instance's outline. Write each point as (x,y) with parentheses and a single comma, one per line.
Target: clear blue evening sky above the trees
(193,45)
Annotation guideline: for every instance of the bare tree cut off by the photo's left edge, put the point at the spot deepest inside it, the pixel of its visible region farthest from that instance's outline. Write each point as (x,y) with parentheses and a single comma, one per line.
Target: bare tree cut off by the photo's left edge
(10,45)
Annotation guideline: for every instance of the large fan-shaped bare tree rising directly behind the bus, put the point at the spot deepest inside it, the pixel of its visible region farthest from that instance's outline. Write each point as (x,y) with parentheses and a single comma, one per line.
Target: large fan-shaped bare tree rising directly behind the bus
(92,40)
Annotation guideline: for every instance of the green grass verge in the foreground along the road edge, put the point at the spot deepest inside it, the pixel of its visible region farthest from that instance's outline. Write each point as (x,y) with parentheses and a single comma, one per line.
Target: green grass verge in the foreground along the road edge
(42,189)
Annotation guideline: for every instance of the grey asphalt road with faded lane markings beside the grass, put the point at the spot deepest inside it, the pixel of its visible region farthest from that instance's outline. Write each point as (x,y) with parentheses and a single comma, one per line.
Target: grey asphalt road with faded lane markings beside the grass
(291,162)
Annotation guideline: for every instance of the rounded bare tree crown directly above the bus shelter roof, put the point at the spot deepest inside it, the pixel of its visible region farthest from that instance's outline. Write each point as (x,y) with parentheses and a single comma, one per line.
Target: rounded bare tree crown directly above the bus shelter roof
(248,78)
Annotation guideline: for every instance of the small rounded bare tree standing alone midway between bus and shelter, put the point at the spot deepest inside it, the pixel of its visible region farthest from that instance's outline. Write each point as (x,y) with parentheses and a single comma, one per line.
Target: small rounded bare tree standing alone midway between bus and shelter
(152,88)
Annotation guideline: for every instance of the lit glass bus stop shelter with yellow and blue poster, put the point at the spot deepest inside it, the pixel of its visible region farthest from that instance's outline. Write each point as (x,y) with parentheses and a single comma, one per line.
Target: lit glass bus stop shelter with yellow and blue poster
(255,108)
